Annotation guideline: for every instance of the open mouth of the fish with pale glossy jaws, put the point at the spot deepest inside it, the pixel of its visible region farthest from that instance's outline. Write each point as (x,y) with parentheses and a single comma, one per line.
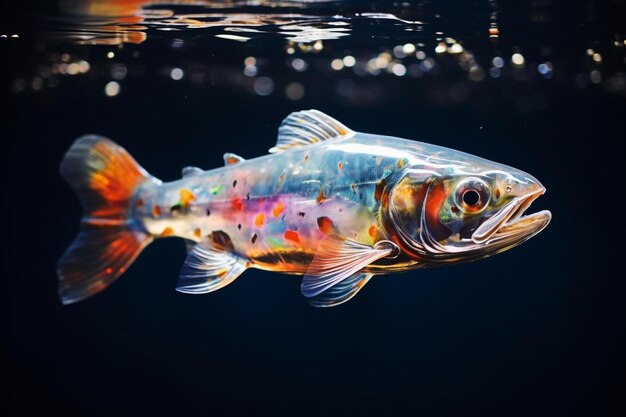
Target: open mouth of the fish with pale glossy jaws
(510,225)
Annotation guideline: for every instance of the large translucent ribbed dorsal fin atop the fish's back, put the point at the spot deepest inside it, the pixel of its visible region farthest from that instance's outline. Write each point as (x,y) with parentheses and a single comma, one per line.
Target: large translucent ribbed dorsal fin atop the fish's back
(306,127)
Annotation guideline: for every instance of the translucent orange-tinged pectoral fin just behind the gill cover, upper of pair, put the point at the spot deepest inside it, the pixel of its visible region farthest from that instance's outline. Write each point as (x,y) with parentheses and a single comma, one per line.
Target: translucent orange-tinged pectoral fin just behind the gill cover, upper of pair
(338,259)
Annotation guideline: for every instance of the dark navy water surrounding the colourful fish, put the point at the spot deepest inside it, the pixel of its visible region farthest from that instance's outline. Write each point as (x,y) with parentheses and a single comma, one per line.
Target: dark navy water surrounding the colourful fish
(538,330)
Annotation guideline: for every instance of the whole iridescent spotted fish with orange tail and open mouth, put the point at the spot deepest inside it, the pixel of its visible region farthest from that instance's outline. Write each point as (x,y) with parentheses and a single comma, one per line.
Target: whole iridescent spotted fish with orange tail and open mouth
(327,203)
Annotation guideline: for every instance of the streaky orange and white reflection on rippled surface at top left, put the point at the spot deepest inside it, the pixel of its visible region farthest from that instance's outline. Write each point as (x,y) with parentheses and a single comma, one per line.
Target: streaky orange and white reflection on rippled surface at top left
(114,22)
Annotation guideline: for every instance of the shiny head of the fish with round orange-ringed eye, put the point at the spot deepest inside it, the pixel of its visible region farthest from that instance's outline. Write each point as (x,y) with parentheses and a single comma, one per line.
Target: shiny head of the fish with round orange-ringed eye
(464,213)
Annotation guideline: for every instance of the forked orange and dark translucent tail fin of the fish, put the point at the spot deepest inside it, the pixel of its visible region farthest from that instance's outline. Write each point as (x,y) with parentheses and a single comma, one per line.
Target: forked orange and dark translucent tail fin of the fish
(105,177)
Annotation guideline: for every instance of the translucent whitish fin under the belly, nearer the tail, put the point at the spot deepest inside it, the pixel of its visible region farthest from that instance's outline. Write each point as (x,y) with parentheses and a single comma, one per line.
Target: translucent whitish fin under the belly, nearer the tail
(208,269)
